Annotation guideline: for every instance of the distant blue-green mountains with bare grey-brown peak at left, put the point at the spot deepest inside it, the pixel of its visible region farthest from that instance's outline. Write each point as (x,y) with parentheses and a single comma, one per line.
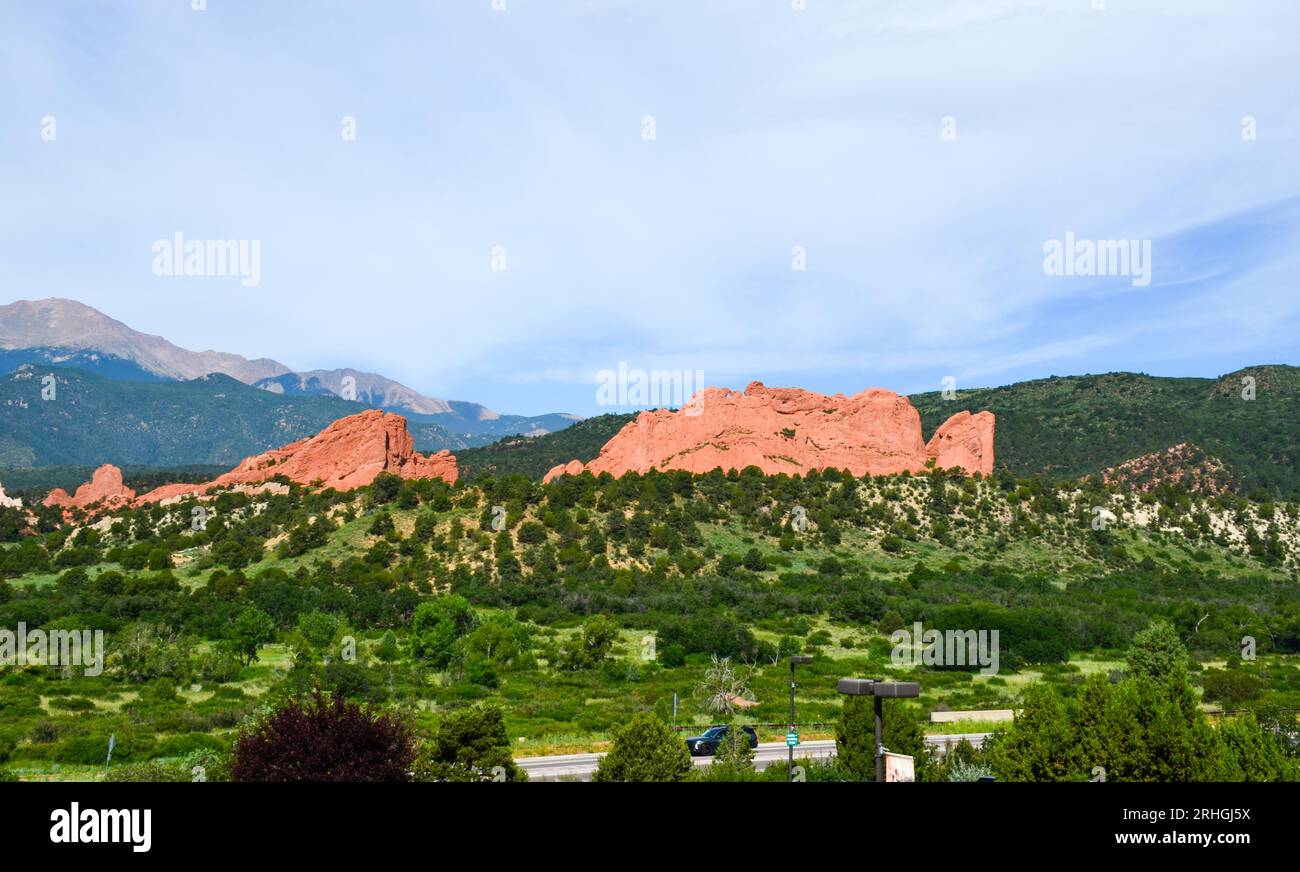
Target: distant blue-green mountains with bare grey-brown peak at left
(127,376)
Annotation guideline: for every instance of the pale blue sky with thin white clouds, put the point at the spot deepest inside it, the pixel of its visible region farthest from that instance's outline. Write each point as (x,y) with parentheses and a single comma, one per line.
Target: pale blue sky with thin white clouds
(847,196)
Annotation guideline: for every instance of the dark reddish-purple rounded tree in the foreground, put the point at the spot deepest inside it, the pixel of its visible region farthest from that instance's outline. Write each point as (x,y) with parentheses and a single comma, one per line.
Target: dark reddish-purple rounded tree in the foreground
(324,739)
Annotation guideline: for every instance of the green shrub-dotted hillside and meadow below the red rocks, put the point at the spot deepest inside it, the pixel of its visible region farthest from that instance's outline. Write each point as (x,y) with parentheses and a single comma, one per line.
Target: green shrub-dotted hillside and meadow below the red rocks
(571,608)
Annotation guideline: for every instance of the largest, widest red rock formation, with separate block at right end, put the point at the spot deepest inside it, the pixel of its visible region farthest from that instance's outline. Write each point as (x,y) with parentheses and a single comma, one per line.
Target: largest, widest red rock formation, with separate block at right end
(792,431)
